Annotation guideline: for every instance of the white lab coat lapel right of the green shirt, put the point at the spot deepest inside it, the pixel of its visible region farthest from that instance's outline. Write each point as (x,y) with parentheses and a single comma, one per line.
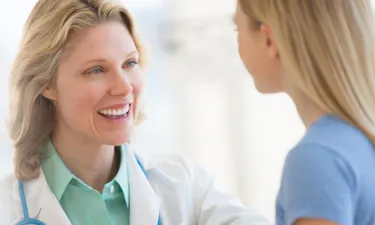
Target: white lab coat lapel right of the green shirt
(144,204)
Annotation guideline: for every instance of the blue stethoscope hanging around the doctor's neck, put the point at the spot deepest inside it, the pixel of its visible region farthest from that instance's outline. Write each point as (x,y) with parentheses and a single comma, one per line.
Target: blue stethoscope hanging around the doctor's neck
(31,221)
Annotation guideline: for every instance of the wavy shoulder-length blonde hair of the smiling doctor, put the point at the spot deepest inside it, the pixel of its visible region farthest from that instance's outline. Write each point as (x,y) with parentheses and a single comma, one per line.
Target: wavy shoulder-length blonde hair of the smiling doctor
(47,31)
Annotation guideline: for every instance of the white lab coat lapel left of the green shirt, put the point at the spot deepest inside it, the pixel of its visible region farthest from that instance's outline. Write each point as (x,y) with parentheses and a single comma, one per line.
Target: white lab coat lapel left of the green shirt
(42,204)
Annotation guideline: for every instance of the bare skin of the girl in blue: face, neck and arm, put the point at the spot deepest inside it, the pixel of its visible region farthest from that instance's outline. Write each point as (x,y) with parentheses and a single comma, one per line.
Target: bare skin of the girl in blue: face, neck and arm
(259,52)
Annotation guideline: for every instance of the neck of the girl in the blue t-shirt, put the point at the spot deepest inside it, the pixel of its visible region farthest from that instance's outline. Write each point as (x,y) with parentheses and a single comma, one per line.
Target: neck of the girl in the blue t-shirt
(307,110)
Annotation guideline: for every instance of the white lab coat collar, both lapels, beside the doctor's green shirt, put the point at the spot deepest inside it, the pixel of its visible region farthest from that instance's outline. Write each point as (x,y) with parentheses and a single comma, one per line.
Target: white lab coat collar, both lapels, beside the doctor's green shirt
(43,205)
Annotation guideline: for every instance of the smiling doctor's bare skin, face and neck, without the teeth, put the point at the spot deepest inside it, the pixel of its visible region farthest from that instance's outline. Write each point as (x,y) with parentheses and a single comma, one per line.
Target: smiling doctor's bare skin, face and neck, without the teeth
(98,70)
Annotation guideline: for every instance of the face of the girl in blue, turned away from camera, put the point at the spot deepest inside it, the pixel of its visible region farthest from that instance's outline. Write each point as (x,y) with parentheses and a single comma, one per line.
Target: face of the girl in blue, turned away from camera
(259,53)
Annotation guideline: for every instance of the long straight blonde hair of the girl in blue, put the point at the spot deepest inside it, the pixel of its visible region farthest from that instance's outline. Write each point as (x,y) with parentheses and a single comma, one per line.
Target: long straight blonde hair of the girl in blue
(327,47)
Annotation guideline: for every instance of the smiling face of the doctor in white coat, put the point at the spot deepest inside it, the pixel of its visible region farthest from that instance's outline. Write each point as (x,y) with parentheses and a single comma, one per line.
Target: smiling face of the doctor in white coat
(98,85)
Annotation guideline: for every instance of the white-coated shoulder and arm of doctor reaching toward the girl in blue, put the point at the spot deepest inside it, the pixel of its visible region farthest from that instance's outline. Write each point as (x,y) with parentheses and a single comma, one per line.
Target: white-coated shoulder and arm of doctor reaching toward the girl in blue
(188,189)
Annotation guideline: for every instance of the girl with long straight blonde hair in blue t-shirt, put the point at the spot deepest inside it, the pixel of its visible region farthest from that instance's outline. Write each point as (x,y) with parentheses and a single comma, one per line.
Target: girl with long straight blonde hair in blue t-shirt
(321,53)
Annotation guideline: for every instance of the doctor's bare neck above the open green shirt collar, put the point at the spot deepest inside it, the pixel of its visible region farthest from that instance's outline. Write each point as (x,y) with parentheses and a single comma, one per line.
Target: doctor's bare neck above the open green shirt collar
(93,163)
